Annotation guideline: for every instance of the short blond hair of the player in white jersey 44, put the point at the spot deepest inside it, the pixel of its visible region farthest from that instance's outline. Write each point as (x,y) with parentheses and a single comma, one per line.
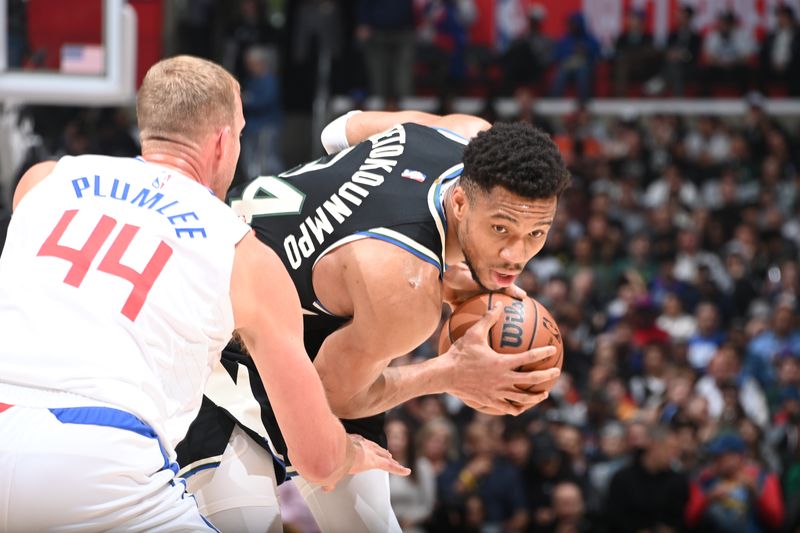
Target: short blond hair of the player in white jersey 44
(185,97)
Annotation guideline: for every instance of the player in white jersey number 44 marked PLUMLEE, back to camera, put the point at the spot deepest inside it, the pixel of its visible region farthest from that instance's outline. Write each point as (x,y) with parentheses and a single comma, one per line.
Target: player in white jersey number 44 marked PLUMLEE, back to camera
(120,283)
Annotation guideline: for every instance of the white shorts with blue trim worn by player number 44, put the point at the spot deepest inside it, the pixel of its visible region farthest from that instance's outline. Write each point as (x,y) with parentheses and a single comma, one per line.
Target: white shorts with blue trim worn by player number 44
(85,469)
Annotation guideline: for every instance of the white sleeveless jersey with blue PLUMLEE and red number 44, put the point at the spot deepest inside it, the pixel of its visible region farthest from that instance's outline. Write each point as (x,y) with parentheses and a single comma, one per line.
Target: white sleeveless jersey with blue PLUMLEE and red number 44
(115,285)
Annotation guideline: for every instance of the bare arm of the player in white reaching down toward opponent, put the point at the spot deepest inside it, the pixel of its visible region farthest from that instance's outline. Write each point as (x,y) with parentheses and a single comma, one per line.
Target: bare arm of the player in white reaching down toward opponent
(269,320)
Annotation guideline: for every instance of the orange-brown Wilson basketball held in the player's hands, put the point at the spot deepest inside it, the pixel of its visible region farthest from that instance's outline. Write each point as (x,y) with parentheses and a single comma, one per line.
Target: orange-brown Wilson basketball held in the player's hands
(523,324)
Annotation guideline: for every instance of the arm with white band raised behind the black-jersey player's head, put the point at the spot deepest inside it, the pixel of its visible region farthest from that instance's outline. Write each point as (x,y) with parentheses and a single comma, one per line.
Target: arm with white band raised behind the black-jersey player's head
(355,127)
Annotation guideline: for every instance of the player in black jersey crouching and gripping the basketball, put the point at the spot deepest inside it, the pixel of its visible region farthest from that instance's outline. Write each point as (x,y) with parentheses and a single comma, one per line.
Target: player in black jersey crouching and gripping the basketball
(367,235)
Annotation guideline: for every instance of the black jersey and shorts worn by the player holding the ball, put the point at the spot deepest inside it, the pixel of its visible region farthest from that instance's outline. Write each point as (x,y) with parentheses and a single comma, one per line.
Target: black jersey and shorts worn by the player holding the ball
(388,187)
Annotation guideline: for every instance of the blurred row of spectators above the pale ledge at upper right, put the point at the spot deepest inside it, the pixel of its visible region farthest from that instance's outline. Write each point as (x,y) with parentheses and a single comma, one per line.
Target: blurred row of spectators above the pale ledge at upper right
(438,43)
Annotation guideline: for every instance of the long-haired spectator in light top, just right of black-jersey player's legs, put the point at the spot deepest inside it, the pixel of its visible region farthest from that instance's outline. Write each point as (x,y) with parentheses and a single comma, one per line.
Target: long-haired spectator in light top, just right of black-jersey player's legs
(413,497)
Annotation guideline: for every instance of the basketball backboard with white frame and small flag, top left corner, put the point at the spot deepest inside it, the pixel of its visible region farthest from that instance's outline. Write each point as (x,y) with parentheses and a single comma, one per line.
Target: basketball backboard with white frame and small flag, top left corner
(72,62)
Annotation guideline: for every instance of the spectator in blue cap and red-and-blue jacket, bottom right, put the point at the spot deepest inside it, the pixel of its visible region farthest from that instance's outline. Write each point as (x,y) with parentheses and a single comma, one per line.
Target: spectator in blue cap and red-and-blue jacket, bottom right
(732,493)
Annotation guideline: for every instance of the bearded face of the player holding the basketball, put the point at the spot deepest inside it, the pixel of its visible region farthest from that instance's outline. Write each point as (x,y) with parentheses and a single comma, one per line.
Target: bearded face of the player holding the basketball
(500,232)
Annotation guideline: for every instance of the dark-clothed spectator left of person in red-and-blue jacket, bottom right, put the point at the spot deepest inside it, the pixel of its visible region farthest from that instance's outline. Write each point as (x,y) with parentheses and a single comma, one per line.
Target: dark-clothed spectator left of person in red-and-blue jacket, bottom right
(649,494)
